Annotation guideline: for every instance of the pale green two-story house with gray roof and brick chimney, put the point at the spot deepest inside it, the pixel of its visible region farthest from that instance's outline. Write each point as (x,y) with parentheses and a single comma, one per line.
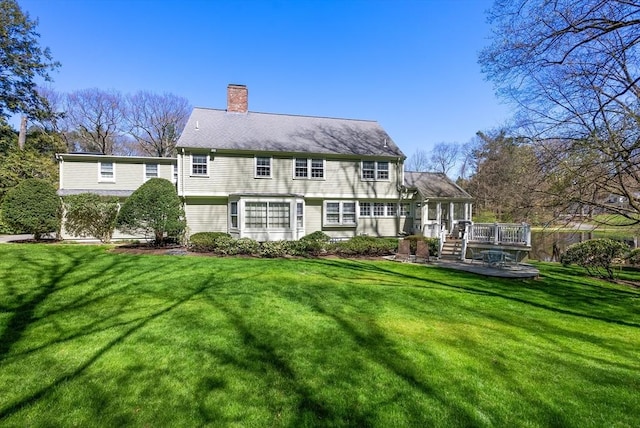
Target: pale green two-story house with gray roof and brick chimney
(280,177)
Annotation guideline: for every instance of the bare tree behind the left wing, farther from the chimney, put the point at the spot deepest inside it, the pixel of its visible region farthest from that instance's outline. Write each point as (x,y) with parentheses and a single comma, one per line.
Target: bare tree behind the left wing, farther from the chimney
(94,120)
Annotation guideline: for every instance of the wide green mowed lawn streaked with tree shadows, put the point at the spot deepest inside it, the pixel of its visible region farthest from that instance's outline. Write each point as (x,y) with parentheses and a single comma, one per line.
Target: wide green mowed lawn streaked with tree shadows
(91,338)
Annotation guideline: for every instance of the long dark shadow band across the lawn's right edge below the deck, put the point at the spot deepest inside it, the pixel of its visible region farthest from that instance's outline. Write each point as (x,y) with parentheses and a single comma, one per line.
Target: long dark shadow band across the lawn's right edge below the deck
(582,298)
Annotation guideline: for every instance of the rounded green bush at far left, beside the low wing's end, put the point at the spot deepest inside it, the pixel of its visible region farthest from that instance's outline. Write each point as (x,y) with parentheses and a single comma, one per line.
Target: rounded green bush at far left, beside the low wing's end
(33,207)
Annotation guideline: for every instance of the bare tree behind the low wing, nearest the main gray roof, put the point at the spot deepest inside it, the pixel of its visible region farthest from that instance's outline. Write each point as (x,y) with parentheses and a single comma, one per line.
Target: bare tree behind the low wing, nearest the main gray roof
(156,121)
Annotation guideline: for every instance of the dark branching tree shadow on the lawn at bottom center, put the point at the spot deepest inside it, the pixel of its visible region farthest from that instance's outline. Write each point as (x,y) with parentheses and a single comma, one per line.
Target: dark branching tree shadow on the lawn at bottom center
(315,405)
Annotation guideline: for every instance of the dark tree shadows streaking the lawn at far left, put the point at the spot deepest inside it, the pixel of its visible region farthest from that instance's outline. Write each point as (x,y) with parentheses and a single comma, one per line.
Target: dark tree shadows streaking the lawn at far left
(54,276)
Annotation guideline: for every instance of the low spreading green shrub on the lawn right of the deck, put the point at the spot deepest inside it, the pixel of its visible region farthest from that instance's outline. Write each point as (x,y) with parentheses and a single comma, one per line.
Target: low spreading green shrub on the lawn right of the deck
(595,255)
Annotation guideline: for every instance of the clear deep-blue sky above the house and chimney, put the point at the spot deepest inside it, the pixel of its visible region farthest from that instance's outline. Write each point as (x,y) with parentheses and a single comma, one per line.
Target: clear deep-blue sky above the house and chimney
(410,65)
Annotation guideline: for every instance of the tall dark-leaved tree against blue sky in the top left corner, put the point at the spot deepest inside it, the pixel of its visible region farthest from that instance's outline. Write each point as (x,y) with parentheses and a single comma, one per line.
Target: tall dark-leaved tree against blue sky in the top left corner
(22,62)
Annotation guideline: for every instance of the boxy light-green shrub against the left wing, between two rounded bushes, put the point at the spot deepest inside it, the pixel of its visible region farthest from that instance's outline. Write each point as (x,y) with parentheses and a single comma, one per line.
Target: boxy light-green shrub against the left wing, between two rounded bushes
(89,214)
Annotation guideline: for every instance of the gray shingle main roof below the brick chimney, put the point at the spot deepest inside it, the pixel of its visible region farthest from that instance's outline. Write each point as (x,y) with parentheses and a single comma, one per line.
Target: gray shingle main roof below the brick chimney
(217,129)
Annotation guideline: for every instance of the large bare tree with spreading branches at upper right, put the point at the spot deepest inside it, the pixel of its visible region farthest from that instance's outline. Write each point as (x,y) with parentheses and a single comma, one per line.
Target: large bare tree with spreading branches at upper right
(571,69)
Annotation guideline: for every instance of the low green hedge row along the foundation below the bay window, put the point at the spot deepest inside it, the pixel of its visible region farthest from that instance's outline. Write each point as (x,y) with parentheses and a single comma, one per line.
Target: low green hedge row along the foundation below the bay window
(317,243)
